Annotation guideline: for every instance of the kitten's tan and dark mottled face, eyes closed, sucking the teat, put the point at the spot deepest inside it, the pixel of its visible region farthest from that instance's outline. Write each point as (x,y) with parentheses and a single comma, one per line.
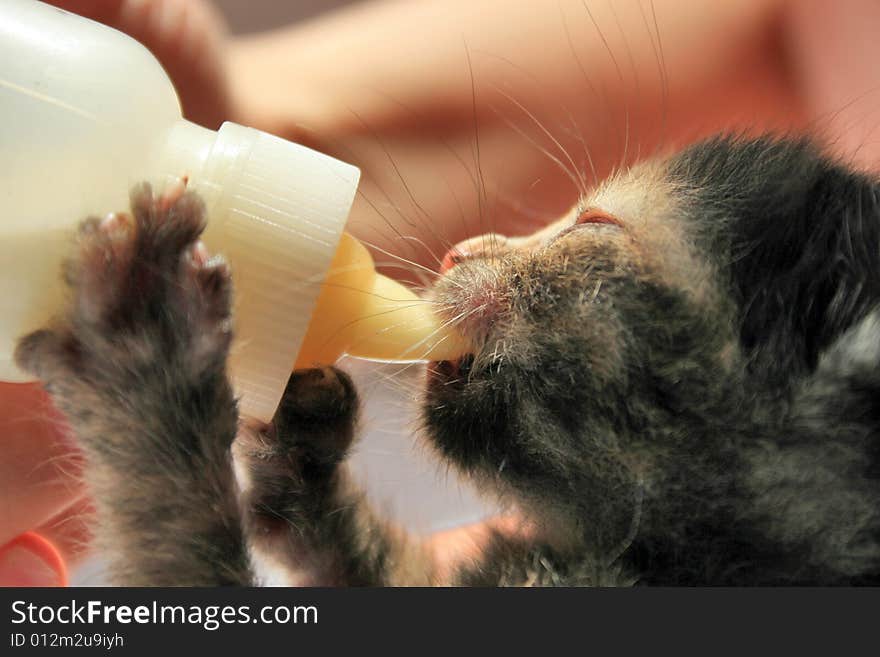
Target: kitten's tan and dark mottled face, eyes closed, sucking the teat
(587,333)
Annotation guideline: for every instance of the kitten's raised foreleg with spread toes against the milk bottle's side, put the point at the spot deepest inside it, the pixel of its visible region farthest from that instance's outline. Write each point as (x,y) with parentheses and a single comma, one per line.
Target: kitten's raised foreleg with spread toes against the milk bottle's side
(138,367)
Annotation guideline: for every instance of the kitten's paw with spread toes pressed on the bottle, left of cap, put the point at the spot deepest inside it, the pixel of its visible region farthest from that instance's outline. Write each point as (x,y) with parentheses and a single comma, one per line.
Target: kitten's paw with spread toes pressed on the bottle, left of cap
(144,293)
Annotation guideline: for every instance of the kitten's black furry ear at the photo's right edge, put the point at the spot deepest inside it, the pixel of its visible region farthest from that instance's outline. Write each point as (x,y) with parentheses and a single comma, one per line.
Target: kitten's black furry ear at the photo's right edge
(805,254)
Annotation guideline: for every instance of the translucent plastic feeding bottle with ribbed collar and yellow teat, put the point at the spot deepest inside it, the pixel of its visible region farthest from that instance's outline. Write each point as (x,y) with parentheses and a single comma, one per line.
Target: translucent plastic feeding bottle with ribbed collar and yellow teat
(87,112)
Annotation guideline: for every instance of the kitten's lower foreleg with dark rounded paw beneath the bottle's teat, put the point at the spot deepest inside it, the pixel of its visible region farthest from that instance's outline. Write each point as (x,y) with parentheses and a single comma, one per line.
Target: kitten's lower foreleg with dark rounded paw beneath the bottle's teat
(302,509)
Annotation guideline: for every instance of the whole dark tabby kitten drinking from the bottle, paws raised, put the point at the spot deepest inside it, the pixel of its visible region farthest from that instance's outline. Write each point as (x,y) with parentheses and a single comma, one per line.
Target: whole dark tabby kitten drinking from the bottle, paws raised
(676,383)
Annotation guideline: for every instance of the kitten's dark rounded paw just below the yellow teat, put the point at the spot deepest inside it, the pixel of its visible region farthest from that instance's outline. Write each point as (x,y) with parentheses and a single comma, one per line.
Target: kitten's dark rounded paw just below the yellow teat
(317,415)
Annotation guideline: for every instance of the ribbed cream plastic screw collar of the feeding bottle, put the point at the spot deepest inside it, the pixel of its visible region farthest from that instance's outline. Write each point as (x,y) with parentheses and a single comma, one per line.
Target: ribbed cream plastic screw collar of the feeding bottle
(276,212)
